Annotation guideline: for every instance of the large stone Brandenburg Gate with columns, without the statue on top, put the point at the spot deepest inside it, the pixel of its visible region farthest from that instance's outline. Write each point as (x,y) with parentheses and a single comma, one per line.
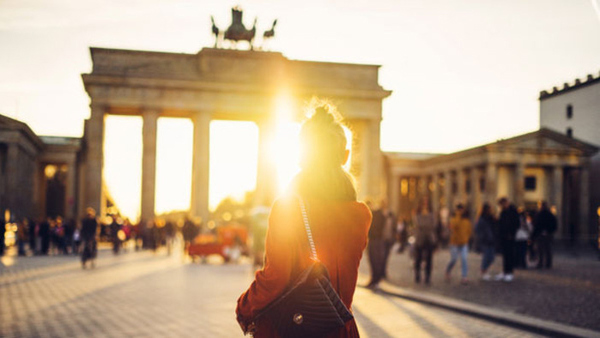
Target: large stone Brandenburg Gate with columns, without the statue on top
(219,84)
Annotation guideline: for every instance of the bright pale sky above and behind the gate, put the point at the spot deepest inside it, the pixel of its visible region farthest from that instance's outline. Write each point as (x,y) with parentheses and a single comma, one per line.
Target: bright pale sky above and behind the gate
(463,72)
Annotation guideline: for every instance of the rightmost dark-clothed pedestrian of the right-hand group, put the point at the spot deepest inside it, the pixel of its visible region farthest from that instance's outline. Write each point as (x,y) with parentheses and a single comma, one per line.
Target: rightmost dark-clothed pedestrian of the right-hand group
(545,225)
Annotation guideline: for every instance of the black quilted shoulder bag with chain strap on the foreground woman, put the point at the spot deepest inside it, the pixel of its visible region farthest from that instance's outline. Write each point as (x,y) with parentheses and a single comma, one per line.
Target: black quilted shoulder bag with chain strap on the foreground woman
(310,306)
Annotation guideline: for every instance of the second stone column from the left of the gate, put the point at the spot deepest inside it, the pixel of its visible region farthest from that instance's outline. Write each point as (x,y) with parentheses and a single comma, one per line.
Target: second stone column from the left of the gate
(149,163)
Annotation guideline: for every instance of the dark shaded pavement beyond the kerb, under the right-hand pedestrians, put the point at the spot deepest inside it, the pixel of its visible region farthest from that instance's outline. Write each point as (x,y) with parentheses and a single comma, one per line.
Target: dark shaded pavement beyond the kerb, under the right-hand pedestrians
(569,293)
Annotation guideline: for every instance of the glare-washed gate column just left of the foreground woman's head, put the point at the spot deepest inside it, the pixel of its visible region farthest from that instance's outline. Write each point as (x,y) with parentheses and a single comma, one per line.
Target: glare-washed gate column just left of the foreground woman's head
(266,176)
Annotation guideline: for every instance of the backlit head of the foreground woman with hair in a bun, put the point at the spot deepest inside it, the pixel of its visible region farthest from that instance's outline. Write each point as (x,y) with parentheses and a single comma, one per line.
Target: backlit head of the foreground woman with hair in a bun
(322,156)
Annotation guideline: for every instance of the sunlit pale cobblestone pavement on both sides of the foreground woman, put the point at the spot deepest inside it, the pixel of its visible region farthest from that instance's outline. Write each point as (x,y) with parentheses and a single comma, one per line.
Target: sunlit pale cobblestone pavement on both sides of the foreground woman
(141,294)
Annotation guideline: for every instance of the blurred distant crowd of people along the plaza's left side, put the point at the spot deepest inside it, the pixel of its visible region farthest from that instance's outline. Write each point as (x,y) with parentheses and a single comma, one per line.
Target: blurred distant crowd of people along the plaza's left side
(54,236)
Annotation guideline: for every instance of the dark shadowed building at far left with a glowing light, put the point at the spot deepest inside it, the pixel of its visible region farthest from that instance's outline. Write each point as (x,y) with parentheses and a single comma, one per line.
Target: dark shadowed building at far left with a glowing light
(38,174)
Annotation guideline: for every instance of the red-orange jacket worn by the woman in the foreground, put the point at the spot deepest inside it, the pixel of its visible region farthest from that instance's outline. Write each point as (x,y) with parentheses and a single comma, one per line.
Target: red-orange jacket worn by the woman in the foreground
(340,232)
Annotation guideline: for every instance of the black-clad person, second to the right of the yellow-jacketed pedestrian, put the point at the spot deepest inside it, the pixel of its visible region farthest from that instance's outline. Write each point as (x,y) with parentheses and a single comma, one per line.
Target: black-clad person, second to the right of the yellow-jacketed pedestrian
(508,223)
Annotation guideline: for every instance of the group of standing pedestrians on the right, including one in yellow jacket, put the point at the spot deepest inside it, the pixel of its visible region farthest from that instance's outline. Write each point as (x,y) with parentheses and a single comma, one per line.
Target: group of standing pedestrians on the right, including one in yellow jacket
(523,238)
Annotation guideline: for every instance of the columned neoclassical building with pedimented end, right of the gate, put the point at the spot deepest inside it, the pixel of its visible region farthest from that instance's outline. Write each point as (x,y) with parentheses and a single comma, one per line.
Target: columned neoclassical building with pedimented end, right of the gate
(542,165)
